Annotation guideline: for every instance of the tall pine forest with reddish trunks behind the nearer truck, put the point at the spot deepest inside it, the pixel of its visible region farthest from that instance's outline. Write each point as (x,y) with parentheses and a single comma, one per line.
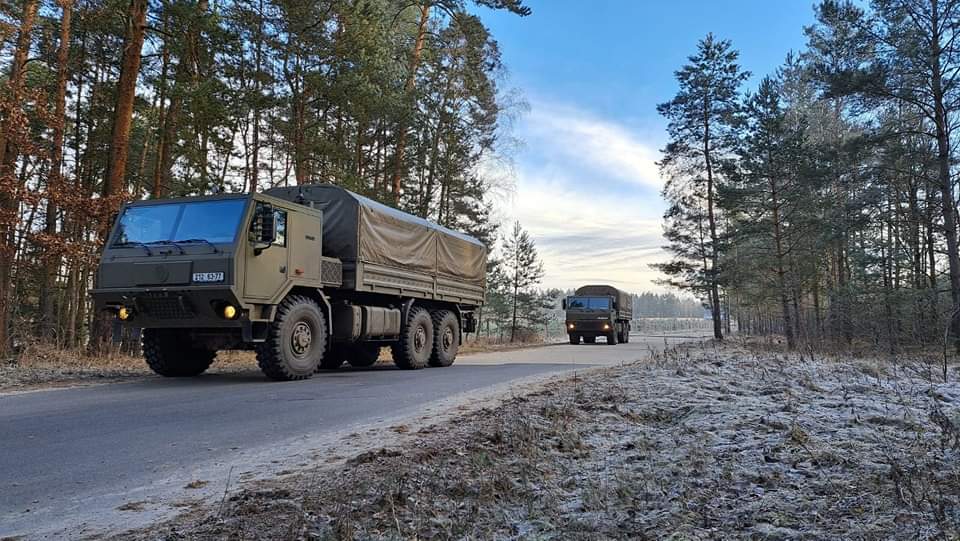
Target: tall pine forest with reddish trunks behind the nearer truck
(104,101)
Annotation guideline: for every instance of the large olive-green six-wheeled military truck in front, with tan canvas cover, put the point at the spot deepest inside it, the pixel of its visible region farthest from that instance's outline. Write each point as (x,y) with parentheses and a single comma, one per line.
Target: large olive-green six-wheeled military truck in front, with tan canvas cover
(309,277)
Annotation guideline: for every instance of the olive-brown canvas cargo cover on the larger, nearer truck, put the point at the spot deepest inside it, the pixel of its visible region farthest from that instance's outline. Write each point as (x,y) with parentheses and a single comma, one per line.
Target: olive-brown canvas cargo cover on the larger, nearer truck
(358,229)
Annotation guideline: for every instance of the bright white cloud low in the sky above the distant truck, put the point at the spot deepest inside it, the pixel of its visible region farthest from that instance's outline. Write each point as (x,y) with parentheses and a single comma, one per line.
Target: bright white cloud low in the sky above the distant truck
(587,190)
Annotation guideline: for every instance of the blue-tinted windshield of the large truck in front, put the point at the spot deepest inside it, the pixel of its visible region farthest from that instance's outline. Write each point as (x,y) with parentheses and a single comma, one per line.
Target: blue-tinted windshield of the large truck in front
(200,221)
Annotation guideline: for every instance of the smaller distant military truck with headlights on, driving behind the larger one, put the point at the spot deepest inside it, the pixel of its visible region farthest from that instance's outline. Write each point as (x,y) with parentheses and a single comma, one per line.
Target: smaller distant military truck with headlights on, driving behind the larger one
(598,310)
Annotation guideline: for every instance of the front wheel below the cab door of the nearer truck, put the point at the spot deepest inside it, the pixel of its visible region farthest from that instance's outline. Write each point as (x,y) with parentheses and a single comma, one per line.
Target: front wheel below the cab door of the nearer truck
(296,341)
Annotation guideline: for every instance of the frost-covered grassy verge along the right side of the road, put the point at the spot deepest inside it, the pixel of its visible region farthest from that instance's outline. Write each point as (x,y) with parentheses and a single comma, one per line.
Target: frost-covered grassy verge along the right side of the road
(702,442)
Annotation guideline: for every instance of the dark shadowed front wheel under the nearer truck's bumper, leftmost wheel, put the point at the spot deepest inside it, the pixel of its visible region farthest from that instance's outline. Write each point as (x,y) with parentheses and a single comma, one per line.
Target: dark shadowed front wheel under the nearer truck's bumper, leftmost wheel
(169,353)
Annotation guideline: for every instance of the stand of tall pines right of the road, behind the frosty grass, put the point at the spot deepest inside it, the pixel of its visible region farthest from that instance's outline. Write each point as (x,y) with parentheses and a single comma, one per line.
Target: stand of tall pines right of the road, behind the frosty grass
(822,204)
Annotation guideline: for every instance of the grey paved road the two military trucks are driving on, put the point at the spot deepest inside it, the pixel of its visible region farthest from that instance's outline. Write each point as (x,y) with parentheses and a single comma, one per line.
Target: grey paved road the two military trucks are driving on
(70,457)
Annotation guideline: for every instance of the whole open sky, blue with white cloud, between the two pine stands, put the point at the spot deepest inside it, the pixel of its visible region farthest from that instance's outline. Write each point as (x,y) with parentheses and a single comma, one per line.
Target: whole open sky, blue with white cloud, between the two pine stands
(584,181)
